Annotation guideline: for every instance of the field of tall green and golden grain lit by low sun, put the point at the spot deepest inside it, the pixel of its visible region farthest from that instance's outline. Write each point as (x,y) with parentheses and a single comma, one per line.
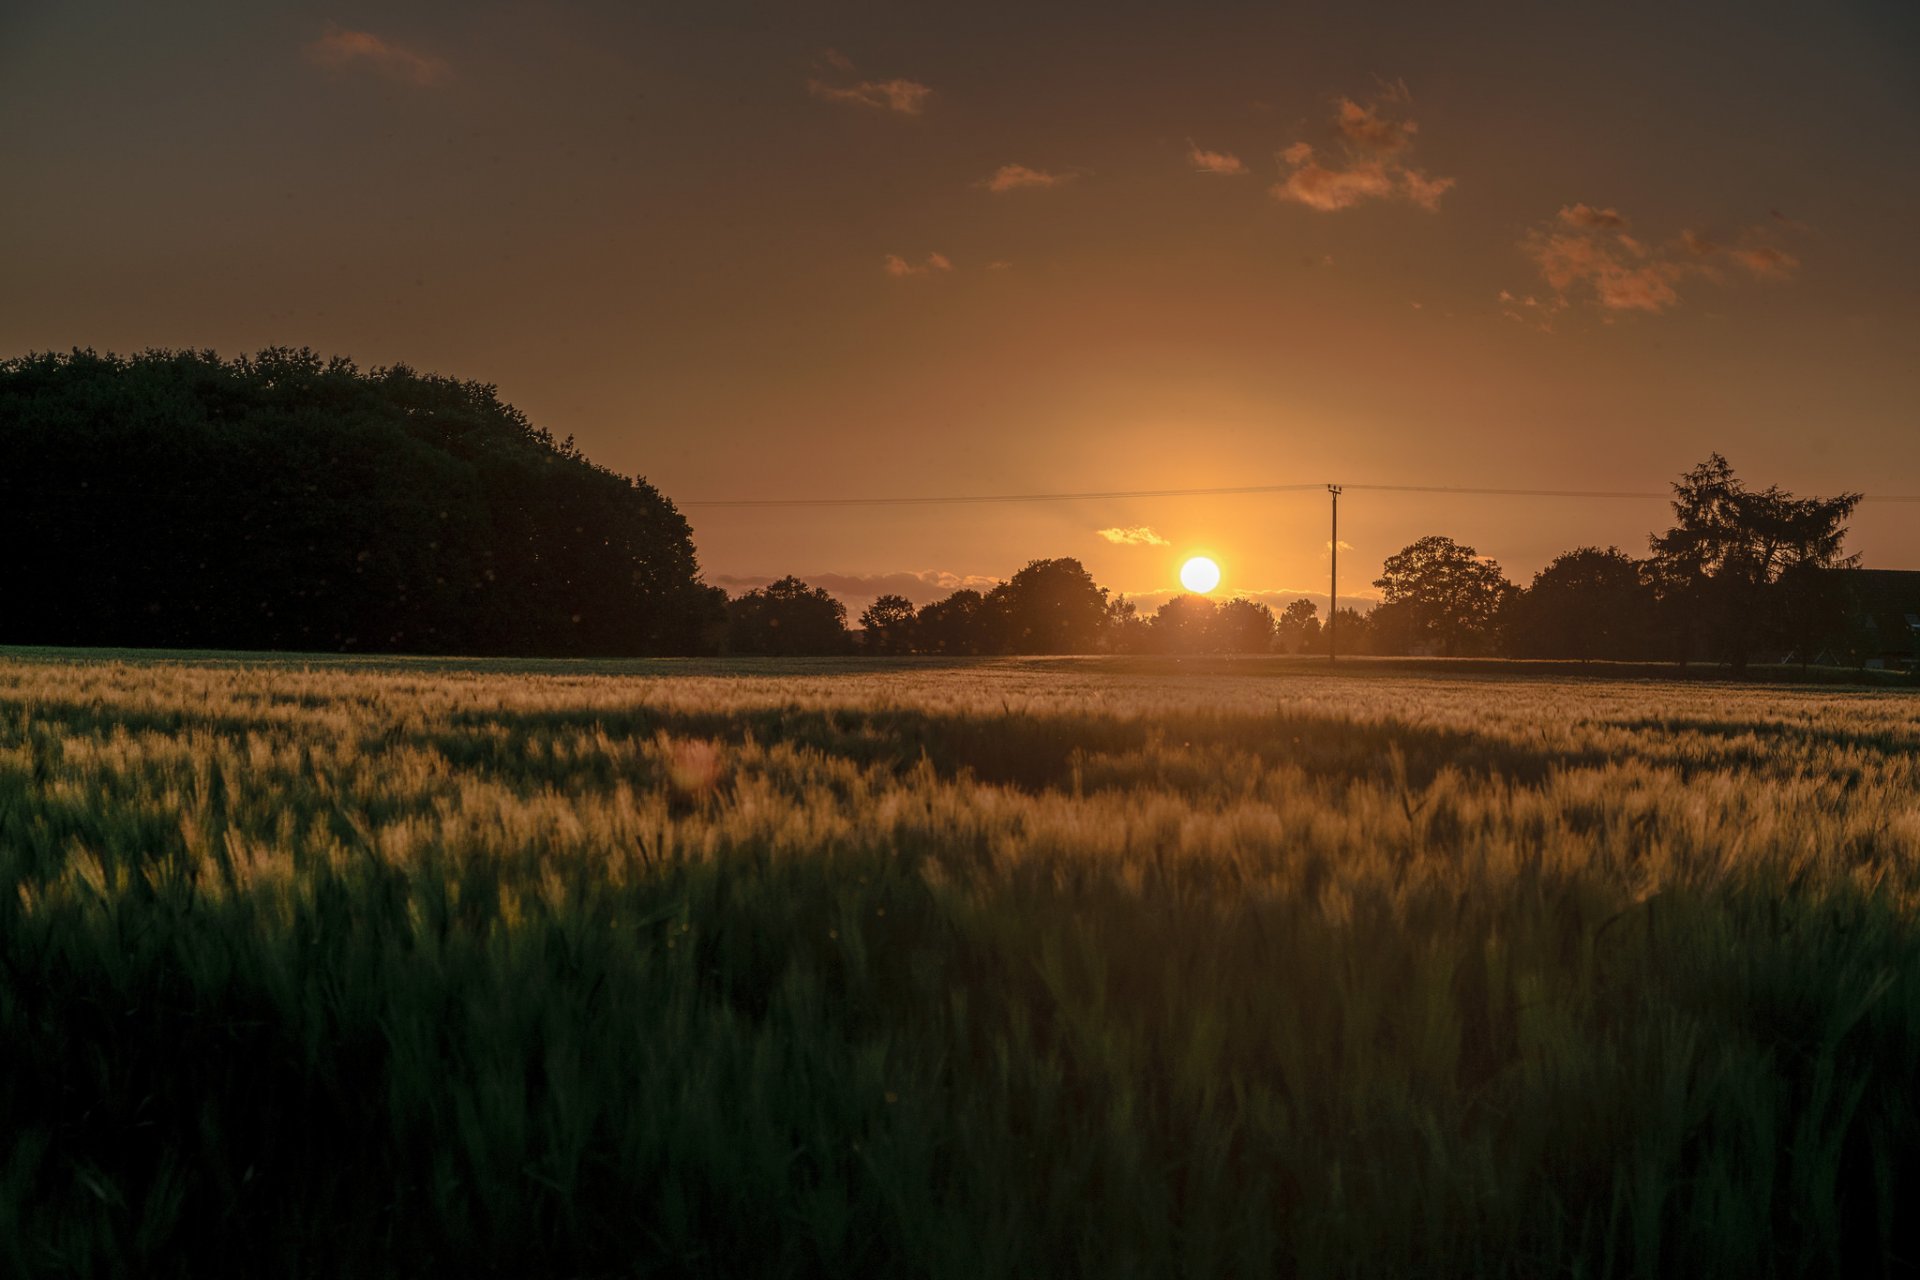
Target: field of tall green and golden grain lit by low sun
(953,970)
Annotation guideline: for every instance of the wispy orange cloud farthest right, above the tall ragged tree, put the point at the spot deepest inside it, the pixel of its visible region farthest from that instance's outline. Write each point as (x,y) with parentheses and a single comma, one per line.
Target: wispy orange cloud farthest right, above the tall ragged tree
(1585,252)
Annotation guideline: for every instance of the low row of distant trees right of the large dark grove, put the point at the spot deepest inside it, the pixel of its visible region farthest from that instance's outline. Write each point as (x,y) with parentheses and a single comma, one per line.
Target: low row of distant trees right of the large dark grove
(1740,573)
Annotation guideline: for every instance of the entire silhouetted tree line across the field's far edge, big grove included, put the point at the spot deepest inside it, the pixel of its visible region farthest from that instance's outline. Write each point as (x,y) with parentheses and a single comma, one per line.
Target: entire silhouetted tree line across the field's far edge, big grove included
(293,502)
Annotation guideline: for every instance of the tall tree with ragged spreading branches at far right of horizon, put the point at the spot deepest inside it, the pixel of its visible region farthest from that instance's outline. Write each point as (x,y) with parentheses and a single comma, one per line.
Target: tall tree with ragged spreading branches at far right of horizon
(1731,548)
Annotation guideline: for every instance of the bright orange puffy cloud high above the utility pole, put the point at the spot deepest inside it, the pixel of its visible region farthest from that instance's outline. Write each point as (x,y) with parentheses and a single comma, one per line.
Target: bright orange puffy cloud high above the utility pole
(1374,141)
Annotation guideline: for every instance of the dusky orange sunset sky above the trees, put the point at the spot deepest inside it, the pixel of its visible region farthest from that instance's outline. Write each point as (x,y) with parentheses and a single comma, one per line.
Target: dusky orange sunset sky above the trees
(903,250)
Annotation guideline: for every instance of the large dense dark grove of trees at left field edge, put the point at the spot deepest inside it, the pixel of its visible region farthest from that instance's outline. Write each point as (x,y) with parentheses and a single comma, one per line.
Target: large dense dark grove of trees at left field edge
(291,502)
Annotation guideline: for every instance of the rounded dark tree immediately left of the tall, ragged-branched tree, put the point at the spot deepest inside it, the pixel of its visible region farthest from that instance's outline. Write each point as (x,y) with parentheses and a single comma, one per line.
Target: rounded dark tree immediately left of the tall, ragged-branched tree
(1585,605)
